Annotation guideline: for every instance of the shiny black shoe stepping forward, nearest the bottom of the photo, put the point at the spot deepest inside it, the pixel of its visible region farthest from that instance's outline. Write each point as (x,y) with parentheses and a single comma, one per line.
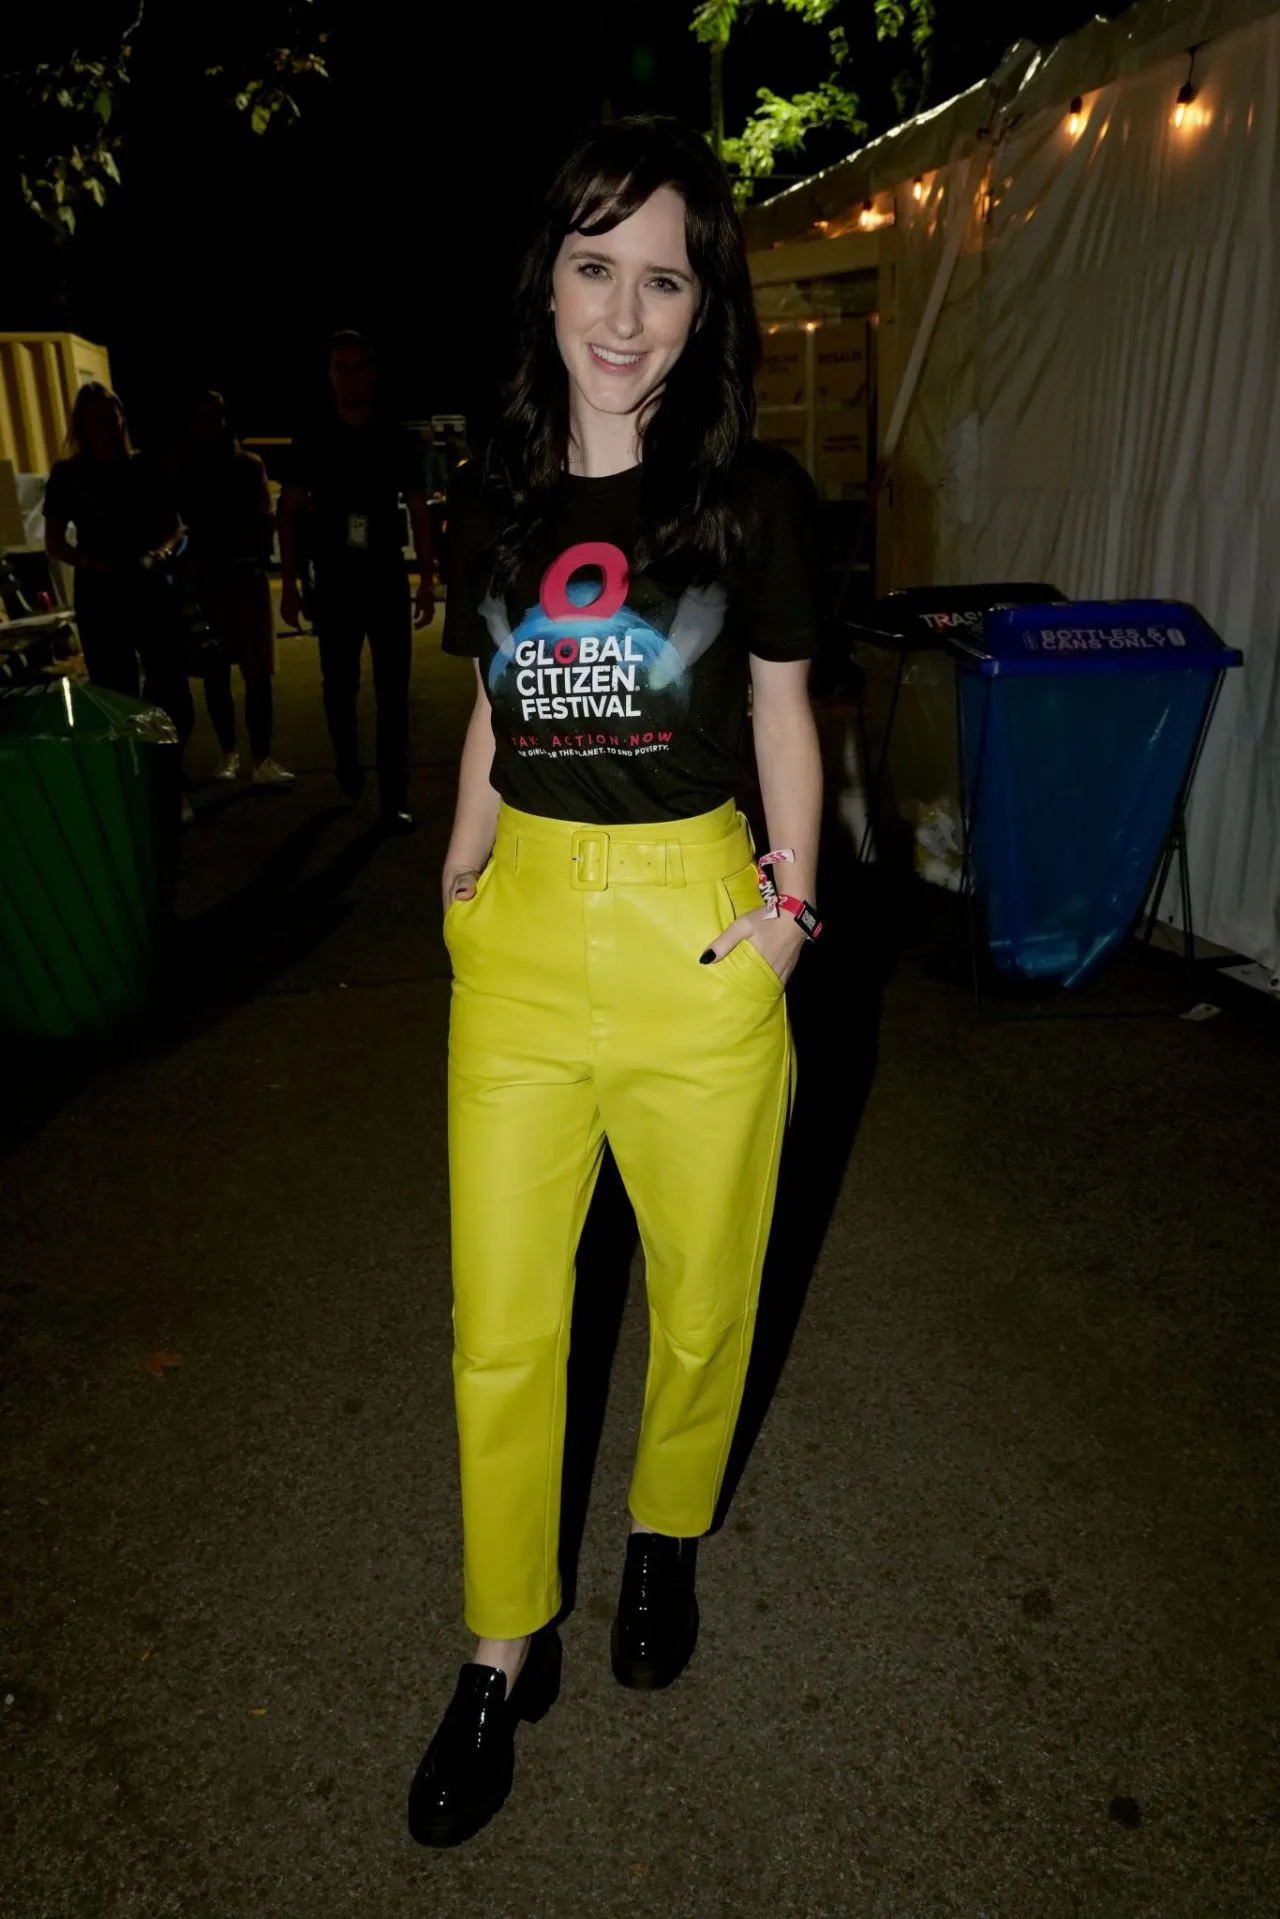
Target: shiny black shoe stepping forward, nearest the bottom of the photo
(467,1770)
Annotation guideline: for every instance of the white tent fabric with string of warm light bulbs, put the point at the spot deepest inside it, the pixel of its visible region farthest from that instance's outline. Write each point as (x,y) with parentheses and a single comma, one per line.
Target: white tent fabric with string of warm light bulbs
(1101,406)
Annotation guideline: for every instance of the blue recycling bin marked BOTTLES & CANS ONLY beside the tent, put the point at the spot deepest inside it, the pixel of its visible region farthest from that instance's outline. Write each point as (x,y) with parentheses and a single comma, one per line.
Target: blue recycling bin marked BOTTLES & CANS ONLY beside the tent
(1079,734)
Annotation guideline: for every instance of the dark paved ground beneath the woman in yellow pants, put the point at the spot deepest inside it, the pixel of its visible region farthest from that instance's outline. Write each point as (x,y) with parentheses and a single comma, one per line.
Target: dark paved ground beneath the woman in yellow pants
(991,1624)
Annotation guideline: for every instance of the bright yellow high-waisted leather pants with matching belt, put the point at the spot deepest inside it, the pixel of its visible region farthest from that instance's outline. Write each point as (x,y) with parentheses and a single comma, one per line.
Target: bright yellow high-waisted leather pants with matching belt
(581,1012)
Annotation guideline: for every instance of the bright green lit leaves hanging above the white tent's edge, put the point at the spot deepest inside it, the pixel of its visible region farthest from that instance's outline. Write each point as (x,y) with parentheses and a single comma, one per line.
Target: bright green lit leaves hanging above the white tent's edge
(782,124)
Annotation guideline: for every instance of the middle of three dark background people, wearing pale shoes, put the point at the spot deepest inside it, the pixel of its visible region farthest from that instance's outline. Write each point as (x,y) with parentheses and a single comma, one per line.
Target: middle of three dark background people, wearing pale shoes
(225,504)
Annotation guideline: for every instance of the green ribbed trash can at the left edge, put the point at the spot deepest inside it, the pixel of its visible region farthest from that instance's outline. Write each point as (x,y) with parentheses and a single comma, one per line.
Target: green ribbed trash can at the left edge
(89,817)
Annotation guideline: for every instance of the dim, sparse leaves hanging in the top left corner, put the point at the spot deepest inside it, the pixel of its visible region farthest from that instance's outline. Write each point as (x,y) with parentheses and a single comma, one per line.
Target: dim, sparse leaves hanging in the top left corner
(66,116)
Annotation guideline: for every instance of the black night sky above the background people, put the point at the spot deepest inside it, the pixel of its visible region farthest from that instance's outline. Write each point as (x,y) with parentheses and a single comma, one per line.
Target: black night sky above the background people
(402,199)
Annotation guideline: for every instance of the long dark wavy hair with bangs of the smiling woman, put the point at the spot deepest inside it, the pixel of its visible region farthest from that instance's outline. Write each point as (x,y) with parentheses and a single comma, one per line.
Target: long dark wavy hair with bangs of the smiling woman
(703,417)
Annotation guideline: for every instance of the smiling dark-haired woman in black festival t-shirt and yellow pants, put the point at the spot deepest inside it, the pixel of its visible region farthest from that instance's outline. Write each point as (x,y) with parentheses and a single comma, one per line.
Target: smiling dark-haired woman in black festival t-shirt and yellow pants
(627,567)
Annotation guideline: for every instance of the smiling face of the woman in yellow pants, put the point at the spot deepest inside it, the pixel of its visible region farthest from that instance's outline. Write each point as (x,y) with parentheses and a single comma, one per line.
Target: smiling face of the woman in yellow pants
(625,304)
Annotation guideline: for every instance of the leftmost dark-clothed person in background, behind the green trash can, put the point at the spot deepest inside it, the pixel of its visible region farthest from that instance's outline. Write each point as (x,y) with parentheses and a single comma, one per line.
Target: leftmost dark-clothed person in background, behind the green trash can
(128,533)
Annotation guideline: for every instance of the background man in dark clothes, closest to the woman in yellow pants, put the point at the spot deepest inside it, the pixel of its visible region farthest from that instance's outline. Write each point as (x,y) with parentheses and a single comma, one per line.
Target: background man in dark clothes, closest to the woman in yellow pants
(350,481)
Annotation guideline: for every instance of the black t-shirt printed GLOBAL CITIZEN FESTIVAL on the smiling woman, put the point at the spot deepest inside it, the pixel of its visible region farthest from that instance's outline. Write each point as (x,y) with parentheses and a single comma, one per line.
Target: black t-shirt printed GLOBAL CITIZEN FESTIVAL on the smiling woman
(623,698)
